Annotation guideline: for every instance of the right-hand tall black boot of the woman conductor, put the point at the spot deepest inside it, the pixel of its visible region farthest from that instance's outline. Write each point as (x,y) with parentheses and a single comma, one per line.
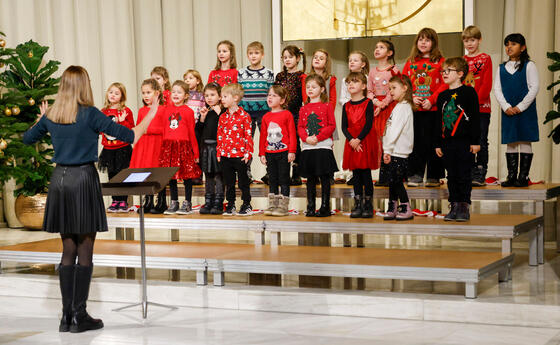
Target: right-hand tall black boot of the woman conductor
(81,321)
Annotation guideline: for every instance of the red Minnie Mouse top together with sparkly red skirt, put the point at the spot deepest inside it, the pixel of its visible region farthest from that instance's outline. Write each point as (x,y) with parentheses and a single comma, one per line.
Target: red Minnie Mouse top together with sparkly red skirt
(179,147)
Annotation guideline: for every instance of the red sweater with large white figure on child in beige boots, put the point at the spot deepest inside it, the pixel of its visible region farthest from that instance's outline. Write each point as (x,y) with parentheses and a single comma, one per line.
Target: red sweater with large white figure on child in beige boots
(280,133)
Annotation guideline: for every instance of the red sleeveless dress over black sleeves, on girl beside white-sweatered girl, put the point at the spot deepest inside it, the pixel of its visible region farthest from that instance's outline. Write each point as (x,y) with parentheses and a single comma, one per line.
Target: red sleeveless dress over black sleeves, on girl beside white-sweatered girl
(370,156)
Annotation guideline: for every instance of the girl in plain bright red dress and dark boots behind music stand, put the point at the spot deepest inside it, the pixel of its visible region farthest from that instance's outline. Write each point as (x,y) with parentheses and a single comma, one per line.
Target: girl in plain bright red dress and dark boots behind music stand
(146,151)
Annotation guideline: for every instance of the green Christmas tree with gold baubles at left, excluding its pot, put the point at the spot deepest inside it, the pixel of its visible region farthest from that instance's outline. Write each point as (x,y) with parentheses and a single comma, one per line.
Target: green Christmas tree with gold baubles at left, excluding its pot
(25,80)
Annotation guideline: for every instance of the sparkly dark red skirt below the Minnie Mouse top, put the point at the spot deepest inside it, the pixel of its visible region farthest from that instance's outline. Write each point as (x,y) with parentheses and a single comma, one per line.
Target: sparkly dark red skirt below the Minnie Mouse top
(179,153)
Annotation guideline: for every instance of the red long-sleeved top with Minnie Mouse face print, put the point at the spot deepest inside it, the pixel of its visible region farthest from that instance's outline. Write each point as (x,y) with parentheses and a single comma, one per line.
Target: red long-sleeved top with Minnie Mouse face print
(179,125)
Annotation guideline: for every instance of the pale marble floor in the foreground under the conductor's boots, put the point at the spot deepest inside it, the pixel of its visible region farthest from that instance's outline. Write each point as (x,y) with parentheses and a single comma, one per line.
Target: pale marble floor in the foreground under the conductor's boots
(35,321)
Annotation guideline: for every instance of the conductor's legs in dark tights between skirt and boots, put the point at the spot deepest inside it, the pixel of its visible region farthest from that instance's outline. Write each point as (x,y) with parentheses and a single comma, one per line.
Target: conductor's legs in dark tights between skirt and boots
(77,245)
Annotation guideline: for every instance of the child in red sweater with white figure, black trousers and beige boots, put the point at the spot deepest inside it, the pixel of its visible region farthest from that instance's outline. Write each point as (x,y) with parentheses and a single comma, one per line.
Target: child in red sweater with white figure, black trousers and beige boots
(277,150)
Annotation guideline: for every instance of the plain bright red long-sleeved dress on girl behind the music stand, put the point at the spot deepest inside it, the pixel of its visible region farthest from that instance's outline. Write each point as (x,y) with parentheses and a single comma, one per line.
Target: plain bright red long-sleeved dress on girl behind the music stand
(145,153)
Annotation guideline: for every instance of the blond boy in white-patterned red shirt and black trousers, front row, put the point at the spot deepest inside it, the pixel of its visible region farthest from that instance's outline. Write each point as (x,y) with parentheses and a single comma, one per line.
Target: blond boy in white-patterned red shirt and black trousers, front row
(235,148)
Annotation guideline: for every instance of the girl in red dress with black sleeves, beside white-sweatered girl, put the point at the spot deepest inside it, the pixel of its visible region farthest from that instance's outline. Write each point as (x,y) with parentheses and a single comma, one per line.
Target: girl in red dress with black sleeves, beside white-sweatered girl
(362,150)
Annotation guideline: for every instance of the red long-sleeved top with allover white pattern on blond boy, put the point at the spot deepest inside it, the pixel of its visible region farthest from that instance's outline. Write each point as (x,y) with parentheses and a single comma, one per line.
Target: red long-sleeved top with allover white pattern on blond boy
(234,135)
